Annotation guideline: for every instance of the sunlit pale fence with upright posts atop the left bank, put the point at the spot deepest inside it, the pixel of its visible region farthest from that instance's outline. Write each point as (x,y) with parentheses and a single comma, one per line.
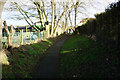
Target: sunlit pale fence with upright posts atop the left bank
(25,37)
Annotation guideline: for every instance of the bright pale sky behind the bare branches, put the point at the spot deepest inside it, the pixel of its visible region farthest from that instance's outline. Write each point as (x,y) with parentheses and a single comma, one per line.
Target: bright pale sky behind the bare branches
(97,6)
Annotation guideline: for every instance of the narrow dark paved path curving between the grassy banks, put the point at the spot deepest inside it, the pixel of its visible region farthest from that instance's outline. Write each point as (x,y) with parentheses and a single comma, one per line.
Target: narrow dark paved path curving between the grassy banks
(48,67)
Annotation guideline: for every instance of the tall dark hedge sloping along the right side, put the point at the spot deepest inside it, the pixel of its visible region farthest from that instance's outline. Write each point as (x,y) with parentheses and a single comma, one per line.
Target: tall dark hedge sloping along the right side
(105,27)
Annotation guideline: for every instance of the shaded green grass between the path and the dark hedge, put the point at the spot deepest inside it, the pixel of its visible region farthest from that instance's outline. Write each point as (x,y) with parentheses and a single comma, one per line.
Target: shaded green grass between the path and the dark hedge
(84,58)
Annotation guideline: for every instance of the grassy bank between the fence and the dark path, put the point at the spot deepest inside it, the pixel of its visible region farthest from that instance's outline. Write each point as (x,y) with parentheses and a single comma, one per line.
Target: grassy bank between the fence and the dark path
(24,59)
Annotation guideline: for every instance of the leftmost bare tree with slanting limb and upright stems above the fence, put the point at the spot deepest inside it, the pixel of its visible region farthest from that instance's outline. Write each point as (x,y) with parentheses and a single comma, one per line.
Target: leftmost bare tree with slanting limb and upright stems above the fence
(40,7)
